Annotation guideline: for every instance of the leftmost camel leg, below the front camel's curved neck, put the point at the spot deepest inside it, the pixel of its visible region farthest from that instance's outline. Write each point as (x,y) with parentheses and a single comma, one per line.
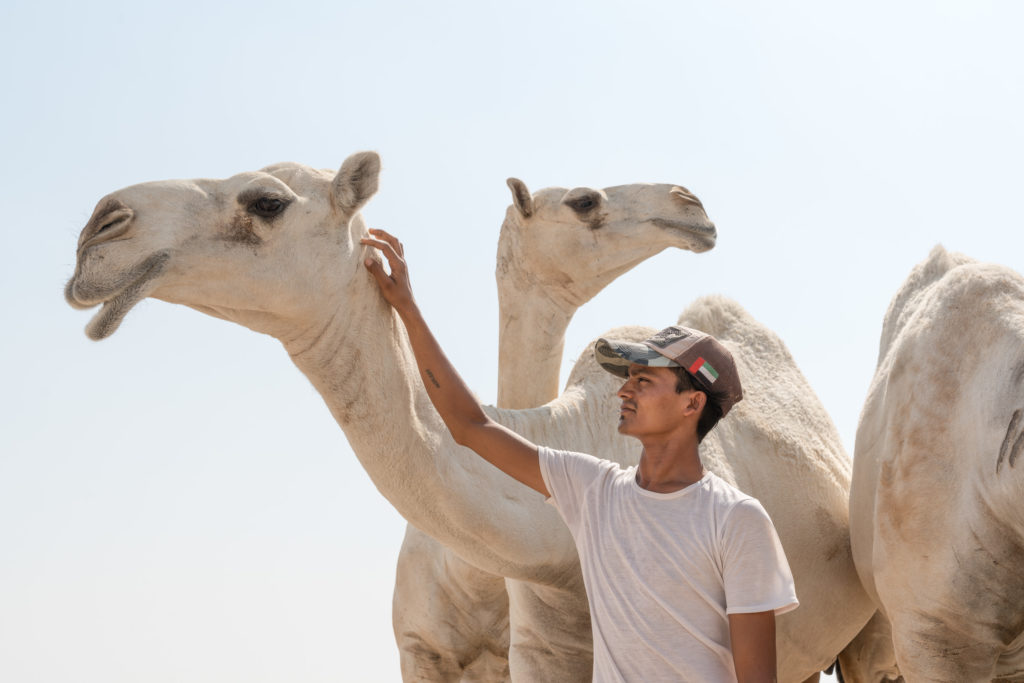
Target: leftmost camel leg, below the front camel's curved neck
(450,619)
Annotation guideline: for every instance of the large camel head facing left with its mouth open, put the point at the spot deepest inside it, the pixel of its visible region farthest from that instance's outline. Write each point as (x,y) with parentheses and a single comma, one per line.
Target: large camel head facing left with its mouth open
(255,249)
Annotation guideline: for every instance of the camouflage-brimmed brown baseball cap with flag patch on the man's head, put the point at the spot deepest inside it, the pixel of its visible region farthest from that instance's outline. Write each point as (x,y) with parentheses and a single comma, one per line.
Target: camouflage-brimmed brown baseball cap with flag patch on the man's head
(708,362)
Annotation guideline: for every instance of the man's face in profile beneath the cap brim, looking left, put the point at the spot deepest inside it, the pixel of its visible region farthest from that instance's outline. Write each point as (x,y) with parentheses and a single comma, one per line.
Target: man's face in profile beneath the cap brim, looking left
(652,407)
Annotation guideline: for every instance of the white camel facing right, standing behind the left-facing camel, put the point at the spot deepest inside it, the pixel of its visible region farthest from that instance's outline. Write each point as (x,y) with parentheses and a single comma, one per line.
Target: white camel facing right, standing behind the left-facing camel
(558,249)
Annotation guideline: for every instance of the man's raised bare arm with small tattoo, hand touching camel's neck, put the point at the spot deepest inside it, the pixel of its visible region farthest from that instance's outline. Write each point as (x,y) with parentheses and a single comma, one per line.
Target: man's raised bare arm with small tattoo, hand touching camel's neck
(458,407)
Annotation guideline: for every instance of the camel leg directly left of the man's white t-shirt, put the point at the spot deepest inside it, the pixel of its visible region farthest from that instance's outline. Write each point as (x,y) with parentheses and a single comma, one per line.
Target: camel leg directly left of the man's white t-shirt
(550,633)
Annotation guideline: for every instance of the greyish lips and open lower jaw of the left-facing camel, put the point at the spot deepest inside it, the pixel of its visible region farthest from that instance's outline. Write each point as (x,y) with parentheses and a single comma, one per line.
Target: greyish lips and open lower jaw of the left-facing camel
(118,300)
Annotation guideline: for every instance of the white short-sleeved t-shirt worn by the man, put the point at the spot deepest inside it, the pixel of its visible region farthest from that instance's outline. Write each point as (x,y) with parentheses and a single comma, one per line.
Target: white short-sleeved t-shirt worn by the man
(664,571)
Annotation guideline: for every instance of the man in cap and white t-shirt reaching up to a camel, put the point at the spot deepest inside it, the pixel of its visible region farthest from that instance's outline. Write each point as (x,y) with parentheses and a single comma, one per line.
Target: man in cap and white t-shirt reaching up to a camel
(685,574)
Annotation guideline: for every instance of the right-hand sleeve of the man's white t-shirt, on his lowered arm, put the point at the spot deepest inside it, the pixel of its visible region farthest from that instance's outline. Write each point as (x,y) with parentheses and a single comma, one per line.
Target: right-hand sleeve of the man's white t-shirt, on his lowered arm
(757,574)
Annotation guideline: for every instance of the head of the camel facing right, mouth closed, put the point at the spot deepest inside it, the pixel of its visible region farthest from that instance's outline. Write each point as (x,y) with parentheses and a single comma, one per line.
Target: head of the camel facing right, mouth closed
(576,242)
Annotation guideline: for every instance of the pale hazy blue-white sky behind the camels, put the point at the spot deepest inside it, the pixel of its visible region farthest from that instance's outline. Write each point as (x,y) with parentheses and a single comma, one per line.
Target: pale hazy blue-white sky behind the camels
(177,504)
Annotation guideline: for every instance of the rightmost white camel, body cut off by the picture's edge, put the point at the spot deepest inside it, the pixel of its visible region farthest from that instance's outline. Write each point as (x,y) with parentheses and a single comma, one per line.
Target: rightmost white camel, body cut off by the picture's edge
(936,519)
